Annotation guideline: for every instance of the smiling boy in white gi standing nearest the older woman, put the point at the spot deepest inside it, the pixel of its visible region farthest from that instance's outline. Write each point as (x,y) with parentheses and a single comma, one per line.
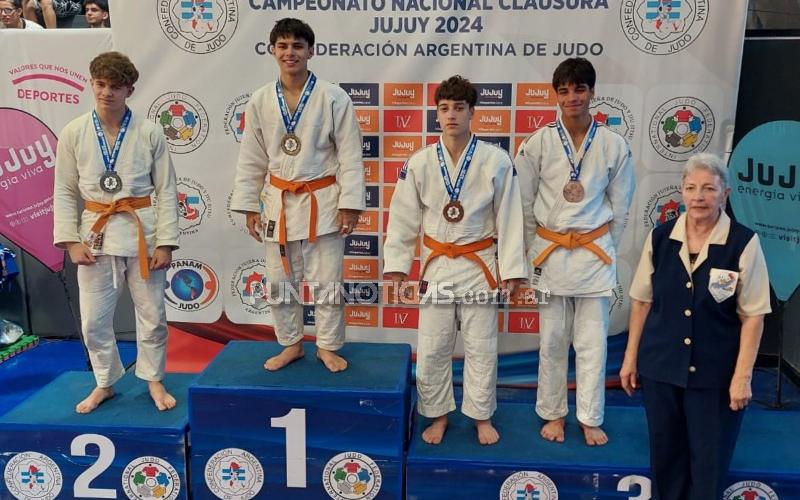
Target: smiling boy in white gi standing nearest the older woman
(576,180)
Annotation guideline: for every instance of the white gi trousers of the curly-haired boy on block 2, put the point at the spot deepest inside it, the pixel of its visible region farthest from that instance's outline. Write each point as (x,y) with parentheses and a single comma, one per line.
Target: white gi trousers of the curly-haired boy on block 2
(100,286)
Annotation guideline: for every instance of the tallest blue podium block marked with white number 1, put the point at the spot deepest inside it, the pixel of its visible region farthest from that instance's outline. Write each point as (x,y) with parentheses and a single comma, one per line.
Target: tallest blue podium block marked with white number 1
(301,432)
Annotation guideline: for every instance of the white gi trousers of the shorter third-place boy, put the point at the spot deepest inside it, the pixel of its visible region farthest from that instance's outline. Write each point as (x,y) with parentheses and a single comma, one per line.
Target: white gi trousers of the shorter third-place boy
(437,337)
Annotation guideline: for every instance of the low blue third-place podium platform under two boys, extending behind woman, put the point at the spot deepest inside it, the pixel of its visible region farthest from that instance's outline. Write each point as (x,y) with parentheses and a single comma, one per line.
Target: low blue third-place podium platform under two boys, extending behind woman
(523,466)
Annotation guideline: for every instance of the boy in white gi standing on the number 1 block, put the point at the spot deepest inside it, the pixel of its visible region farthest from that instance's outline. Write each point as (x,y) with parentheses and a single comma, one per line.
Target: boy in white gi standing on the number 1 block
(301,157)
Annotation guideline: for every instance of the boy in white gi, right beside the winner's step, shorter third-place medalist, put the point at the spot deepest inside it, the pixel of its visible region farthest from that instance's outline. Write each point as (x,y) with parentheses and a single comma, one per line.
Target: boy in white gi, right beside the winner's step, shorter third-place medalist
(464,193)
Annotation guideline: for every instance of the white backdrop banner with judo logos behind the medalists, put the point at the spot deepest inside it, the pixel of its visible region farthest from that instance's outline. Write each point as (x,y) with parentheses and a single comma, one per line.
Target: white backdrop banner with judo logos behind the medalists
(667,82)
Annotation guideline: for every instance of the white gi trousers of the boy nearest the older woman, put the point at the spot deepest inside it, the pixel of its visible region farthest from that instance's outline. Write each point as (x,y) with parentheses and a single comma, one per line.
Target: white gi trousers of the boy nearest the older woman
(582,321)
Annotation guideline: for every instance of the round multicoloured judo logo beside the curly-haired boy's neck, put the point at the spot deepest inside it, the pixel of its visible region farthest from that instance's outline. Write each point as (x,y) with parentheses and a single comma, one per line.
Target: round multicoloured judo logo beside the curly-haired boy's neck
(183,119)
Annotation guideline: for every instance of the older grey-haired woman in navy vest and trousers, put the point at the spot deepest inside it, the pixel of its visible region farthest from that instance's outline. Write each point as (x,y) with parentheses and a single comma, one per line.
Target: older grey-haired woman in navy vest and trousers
(700,294)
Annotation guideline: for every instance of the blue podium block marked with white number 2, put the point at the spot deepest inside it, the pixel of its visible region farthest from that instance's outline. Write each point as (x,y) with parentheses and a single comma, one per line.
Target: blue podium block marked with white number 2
(126,448)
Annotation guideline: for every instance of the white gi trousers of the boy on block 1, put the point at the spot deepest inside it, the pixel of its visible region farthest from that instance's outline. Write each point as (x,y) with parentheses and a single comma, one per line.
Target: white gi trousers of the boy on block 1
(319,263)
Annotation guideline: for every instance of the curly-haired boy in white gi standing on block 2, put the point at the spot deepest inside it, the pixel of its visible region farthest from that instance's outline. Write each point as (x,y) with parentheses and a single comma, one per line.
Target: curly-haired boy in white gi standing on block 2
(114,160)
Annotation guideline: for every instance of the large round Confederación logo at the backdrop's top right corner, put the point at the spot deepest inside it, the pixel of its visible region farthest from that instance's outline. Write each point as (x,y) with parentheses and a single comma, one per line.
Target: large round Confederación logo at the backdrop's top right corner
(662,27)
